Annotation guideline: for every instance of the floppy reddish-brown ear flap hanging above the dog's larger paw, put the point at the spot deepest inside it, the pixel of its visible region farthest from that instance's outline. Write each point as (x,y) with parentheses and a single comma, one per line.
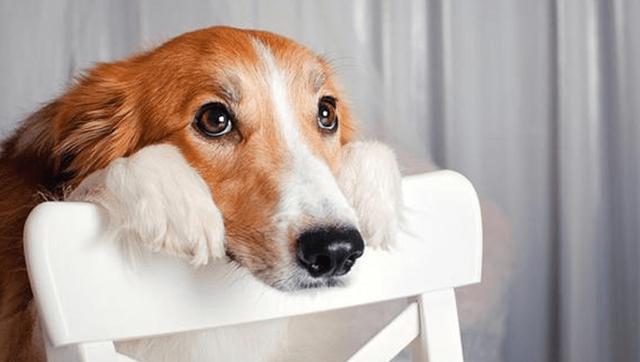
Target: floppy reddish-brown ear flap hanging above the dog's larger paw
(94,124)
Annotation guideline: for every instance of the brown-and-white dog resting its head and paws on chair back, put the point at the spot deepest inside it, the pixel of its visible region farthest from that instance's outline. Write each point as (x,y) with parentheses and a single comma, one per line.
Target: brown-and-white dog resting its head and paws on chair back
(220,143)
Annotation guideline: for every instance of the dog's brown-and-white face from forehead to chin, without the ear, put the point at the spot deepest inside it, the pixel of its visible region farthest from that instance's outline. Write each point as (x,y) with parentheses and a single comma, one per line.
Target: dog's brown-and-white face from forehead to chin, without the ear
(264,124)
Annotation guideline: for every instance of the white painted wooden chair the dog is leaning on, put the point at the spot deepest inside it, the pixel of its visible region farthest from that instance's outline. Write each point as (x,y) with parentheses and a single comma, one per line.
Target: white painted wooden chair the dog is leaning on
(88,294)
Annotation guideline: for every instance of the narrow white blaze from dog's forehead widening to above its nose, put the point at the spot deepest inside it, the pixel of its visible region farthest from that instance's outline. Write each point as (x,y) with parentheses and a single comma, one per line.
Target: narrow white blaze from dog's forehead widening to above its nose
(309,188)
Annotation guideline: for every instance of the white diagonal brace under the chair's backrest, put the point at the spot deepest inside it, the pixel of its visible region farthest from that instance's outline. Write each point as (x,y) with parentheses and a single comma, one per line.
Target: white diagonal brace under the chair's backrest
(394,337)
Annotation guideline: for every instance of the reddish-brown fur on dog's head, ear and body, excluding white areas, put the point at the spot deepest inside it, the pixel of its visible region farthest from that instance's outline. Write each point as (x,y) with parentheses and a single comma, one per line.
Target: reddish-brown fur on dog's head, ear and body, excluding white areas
(118,108)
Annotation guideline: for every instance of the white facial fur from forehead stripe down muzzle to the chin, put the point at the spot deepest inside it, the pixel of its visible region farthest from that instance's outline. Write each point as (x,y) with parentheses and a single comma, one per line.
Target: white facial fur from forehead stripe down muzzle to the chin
(309,193)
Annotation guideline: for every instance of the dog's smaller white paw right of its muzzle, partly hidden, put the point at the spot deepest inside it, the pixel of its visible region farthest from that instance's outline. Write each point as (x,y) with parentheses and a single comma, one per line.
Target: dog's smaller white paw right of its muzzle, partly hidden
(370,179)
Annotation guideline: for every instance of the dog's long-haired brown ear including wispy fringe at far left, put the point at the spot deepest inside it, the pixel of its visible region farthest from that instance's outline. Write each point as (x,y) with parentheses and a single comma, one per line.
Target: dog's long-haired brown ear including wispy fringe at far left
(83,130)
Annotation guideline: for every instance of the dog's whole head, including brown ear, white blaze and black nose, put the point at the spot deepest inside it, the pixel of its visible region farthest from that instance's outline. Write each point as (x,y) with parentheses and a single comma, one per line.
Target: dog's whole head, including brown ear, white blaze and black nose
(258,116)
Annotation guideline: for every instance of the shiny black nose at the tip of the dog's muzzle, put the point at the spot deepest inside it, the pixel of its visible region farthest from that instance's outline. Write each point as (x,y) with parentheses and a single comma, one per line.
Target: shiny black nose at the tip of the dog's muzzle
(329,251)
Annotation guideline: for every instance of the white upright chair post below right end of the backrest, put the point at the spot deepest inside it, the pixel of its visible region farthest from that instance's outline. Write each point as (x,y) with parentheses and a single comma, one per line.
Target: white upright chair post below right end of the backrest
(439,339)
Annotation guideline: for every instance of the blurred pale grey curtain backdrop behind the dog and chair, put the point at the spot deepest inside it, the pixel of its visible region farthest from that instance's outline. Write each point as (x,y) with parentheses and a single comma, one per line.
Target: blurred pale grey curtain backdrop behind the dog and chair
(535,101)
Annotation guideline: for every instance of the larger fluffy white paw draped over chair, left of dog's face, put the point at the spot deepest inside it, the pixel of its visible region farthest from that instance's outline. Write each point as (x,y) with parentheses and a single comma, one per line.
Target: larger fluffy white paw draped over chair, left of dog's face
(155,198)
